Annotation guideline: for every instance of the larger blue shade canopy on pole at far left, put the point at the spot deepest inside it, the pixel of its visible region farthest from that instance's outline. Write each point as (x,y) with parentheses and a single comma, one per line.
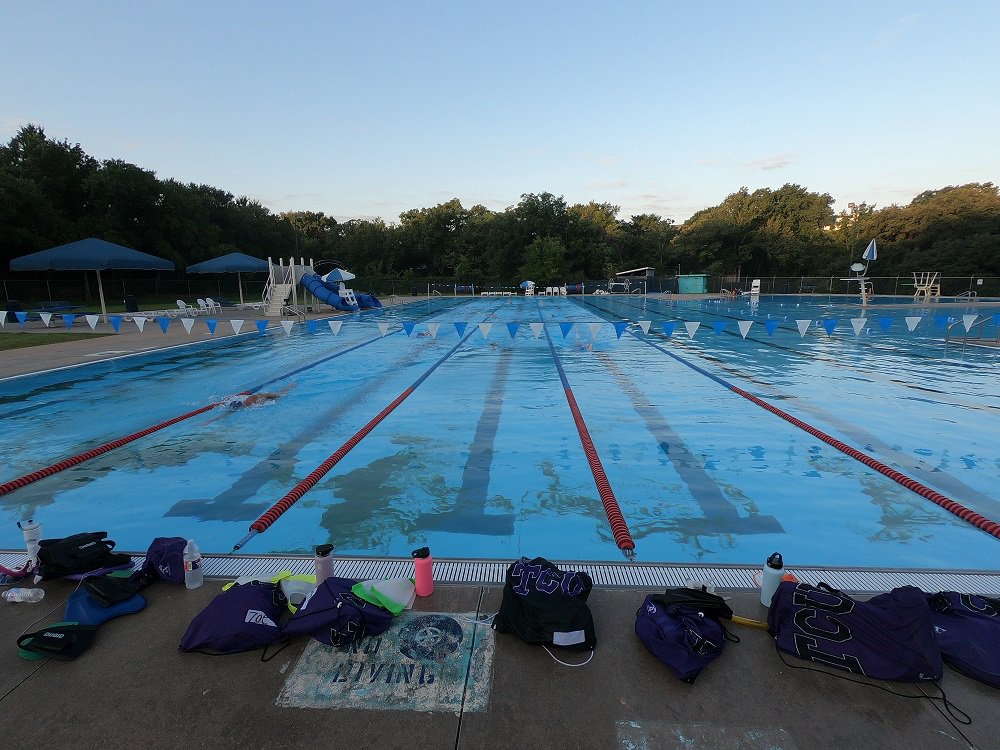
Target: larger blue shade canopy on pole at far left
(90,254)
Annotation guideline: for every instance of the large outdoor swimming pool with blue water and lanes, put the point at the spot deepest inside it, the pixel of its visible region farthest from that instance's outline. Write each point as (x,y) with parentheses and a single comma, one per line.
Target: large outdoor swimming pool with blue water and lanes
(483,458)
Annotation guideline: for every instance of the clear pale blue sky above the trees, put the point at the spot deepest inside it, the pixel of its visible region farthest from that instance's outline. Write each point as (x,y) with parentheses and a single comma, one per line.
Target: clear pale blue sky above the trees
(363,109)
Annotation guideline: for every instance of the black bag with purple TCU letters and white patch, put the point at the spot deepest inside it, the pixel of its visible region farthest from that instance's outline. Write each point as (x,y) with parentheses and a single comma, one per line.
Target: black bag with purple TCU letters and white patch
(543,604)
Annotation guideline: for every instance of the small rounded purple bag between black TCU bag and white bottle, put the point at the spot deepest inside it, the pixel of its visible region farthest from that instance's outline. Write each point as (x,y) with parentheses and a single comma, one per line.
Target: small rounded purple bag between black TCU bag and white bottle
(681,628)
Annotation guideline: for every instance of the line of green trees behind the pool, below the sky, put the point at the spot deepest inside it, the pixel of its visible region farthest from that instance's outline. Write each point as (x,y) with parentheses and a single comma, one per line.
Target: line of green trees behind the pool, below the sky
(52,192)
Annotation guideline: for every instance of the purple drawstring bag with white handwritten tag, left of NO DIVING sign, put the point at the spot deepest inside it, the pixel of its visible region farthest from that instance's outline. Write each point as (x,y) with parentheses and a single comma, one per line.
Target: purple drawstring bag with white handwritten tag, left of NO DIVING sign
(241,618)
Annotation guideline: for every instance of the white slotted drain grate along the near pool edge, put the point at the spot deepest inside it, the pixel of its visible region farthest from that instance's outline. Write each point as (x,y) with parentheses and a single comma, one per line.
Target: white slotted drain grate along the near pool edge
(609,575)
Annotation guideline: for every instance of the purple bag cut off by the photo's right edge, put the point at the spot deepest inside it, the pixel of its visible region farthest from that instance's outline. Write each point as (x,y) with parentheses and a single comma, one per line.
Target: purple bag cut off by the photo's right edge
(967,629)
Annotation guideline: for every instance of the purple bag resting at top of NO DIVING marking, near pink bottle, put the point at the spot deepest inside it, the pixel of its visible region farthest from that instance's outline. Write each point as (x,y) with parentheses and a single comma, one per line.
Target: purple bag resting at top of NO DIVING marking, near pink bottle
(333,615)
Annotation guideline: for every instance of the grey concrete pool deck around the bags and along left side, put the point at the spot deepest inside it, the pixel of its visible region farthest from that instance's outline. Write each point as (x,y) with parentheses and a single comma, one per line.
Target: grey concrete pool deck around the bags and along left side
(134,688)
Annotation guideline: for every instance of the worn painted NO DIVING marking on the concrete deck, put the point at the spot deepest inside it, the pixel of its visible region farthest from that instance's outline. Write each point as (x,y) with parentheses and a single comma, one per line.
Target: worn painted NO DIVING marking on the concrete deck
(427,661)
